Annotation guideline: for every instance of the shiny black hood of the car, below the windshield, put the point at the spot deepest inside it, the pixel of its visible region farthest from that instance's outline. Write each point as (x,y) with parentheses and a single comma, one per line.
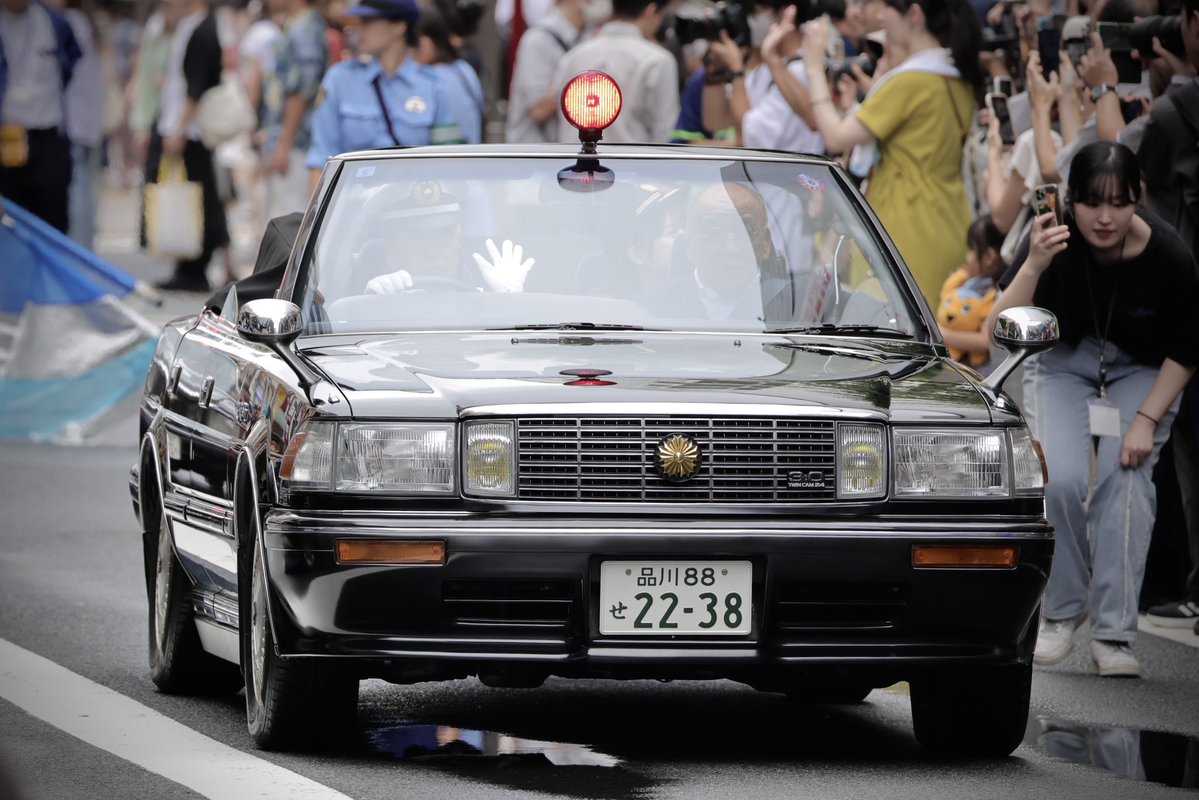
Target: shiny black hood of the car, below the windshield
(450,375)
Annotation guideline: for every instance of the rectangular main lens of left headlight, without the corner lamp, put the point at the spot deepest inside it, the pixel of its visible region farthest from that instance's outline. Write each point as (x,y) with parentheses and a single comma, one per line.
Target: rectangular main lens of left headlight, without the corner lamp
(406,459)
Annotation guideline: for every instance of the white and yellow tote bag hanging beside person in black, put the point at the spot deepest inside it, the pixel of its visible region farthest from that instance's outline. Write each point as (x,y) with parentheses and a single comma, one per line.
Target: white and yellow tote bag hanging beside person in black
(174,213)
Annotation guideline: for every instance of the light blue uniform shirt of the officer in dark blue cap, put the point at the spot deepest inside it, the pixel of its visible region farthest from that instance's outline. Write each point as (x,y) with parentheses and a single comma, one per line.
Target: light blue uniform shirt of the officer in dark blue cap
(351,118)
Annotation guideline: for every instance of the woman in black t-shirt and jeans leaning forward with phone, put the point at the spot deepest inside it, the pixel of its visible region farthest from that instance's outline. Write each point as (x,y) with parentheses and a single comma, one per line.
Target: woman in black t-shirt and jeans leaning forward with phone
(1126,293)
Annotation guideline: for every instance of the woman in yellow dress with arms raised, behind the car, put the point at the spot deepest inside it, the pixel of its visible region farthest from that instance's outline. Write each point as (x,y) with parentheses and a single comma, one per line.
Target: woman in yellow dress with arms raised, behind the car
(919,115)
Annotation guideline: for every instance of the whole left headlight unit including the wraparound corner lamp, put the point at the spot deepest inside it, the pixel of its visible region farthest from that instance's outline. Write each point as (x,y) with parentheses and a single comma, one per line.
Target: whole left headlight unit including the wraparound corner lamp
(406,459)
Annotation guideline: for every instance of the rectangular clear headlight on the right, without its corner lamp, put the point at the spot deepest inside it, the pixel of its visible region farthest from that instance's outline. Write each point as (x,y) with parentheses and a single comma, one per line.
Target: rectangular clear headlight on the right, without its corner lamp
(951,464)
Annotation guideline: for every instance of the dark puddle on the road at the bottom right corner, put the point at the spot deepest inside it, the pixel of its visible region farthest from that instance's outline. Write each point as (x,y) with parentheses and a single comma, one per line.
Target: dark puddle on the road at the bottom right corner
(1149,756)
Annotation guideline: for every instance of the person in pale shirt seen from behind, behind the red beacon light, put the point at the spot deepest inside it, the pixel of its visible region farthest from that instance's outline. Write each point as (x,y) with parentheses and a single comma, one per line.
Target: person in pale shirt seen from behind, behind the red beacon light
(647,73)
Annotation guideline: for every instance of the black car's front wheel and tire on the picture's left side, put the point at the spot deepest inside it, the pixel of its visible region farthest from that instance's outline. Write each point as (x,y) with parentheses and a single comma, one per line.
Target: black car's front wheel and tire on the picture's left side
(291,703)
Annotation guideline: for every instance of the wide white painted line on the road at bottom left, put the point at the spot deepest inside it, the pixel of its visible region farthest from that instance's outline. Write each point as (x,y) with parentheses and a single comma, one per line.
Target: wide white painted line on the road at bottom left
(144,737)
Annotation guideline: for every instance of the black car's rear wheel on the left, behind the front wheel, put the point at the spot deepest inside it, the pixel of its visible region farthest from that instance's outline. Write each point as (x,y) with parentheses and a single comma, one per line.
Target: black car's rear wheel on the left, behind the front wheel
(179,665)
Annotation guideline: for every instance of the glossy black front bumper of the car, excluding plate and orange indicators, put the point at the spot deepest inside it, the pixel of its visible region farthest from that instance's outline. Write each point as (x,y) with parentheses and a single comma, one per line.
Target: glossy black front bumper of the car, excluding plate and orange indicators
(522,593)
